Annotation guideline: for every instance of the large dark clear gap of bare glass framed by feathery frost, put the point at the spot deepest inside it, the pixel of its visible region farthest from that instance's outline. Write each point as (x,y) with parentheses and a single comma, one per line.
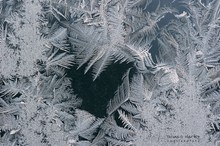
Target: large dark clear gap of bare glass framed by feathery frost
(96,94)
